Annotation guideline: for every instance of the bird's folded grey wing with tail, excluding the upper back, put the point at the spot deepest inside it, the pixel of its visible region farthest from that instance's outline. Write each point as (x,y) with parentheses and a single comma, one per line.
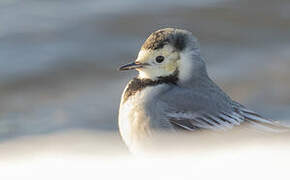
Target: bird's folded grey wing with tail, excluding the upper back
(197,111)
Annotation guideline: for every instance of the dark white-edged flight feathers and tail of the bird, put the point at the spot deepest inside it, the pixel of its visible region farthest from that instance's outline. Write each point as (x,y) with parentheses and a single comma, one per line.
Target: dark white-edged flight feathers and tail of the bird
(201,120)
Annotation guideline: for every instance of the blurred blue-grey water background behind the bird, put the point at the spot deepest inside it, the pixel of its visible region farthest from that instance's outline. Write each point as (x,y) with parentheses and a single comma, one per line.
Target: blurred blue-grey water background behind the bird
(58,59)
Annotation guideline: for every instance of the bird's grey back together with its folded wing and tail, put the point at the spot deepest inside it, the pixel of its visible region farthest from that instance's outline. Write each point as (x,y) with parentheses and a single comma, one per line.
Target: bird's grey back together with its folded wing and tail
(203,105)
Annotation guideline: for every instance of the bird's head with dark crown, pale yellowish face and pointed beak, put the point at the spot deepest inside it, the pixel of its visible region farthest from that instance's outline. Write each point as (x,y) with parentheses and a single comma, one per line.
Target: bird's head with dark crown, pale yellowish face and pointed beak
(168,52)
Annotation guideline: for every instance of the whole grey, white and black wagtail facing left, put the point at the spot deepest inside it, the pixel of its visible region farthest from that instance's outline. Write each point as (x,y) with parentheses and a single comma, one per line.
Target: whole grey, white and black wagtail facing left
(173,91)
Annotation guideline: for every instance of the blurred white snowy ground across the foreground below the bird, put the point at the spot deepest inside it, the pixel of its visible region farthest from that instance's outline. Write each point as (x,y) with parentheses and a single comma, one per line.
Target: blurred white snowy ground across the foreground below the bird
(89,155)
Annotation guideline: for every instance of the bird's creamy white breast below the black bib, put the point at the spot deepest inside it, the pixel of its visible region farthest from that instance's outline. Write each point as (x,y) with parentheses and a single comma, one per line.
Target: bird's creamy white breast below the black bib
(134,119)
